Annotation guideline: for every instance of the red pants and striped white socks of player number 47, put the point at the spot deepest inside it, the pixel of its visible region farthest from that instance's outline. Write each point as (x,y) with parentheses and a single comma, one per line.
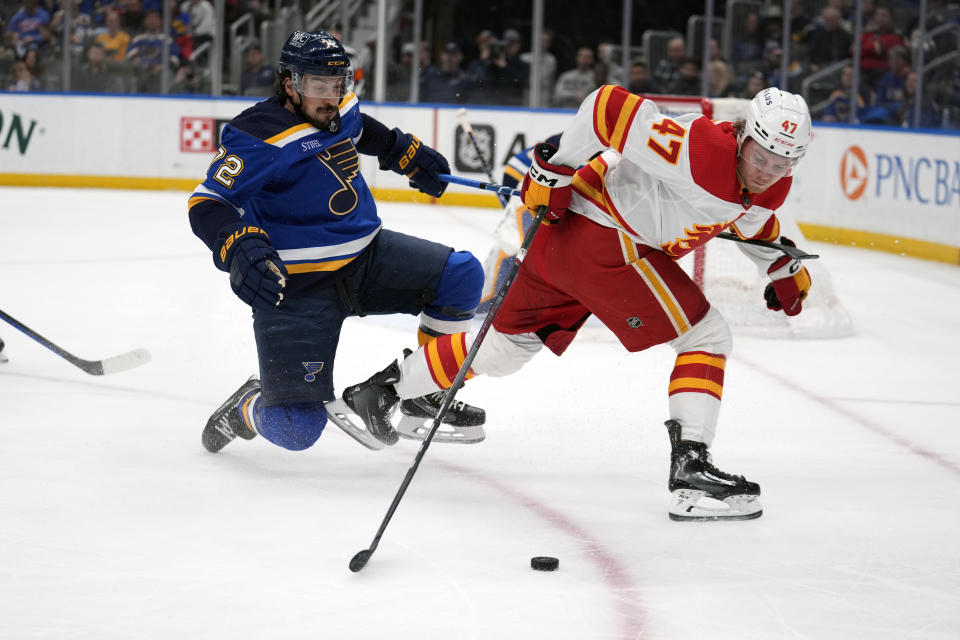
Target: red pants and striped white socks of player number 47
(577,268)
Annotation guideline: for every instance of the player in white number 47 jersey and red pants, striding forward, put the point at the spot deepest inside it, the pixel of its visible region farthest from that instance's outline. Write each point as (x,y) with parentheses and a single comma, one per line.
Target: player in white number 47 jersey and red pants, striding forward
(653,189)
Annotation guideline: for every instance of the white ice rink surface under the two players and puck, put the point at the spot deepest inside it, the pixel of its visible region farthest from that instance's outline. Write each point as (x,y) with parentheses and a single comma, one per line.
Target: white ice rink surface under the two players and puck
(115,523)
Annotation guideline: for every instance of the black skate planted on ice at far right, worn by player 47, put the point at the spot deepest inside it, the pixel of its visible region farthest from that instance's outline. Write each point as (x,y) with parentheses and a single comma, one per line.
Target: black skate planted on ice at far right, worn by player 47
(703,492)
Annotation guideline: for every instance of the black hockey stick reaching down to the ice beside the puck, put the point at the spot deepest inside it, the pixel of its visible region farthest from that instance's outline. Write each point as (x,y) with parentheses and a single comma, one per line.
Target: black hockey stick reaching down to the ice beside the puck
(359,561)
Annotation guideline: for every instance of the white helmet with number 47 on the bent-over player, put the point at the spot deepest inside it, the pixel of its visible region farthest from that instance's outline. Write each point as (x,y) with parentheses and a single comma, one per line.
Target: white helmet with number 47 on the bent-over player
(780,122)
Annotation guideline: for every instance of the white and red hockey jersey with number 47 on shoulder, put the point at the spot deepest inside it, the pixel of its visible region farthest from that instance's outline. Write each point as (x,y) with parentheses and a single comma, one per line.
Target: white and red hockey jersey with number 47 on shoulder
(667,182)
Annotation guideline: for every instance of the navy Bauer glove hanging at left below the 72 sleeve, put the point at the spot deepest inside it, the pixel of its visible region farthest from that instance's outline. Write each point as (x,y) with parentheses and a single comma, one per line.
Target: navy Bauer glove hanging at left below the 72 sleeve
(257,274)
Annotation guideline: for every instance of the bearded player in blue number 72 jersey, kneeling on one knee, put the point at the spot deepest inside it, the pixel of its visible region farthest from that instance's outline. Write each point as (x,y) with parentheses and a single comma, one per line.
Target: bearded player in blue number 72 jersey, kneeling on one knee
(287,213)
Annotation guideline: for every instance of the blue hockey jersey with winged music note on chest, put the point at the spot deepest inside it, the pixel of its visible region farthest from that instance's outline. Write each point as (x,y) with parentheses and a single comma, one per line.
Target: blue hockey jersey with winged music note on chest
(300,184)
